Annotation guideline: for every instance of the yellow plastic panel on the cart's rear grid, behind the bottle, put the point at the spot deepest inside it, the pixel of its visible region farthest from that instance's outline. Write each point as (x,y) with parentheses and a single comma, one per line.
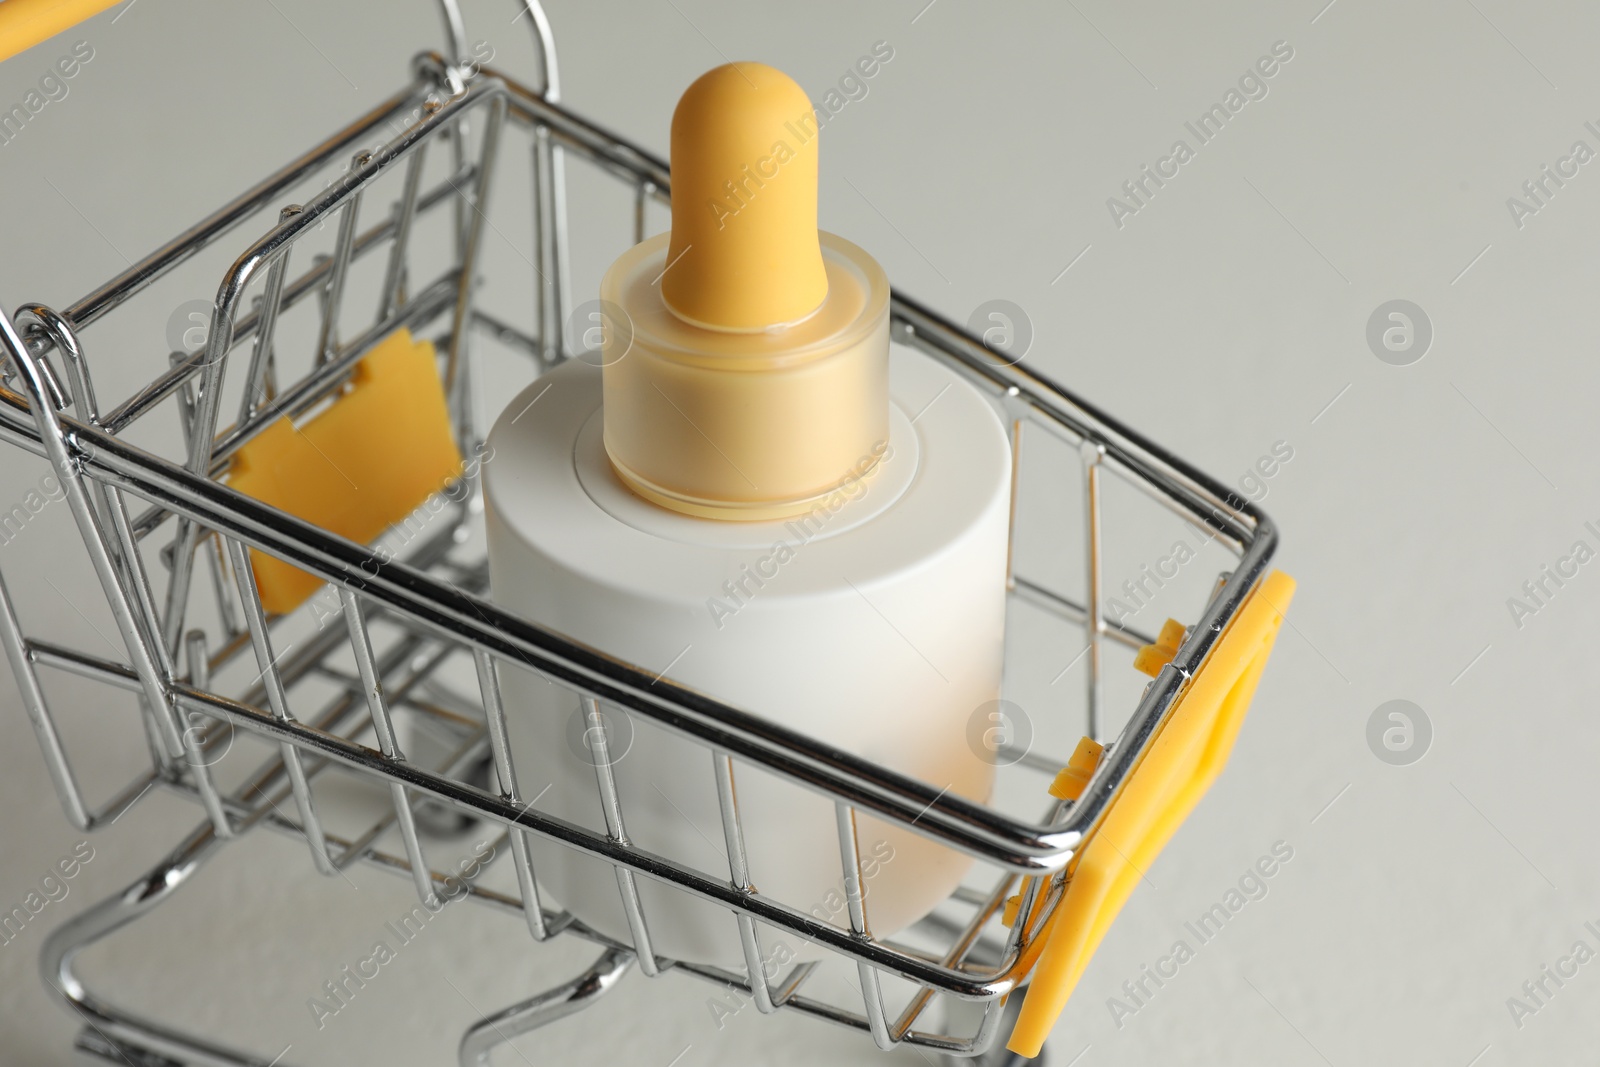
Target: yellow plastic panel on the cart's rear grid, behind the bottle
(358,468)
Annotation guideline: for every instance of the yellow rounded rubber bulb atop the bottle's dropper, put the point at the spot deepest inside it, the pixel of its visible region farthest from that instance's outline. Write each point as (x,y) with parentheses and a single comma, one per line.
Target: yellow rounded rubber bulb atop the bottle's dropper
(745,252)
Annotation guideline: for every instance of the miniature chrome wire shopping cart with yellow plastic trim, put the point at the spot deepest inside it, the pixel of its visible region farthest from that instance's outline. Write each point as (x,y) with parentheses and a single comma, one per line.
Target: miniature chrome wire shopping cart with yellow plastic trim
(170,543)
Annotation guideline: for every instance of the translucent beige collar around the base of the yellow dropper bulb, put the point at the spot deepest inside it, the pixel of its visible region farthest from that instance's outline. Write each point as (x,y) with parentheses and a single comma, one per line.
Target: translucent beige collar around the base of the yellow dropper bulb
(750,426)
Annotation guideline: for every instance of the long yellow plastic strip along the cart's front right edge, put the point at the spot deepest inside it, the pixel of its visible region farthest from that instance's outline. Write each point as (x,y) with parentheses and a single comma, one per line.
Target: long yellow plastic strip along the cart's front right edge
(1180,767)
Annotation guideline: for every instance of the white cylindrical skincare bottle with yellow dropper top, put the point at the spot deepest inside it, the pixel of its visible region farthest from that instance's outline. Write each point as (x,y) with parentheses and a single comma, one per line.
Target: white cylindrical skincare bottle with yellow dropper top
(746,492)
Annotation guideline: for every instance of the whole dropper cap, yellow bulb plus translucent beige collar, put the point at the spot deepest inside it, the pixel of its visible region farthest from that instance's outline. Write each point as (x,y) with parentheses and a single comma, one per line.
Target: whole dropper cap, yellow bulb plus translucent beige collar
(746,367)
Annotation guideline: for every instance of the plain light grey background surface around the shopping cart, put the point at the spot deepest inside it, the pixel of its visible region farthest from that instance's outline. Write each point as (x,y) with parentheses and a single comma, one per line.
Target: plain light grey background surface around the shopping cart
(1222,319)
